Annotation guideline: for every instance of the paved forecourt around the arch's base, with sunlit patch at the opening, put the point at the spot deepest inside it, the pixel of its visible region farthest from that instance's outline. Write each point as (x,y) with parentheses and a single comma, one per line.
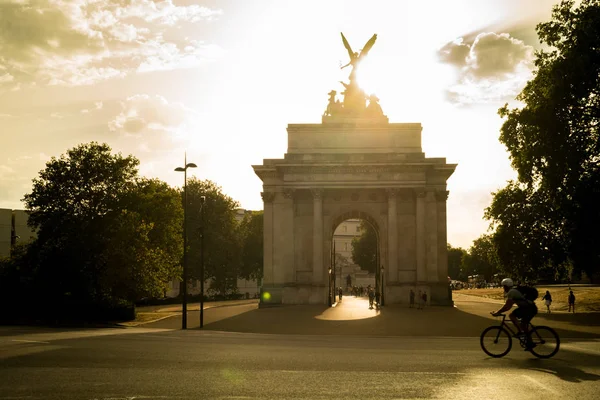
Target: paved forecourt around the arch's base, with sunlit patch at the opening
(352,317)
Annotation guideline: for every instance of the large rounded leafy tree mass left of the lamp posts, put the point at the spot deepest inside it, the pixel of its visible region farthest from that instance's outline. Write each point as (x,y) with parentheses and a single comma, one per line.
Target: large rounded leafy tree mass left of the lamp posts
(104,236)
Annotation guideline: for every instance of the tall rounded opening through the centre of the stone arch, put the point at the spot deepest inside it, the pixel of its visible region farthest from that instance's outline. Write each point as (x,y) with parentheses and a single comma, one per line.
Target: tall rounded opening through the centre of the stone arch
(355,269)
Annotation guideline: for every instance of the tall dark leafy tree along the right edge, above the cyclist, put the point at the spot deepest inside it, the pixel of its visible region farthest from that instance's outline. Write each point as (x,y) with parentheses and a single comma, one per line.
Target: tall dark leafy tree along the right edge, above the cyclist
(554,145)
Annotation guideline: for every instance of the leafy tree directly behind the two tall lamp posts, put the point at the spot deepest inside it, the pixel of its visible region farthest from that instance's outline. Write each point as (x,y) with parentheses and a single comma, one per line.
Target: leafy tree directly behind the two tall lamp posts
(222,243)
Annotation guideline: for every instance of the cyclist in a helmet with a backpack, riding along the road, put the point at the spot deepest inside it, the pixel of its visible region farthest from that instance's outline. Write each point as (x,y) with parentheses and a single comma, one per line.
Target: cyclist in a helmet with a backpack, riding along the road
(525,311)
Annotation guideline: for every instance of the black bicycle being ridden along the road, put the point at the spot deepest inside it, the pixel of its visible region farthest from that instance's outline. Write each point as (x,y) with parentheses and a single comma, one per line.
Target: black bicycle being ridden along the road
(496,341)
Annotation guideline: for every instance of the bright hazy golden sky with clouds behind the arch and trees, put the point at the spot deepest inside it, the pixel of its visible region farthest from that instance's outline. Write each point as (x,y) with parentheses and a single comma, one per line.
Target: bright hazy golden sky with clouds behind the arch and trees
(221,80)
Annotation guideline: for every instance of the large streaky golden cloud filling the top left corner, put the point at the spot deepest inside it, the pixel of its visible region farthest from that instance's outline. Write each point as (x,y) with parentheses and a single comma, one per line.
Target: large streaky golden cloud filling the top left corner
(80,42)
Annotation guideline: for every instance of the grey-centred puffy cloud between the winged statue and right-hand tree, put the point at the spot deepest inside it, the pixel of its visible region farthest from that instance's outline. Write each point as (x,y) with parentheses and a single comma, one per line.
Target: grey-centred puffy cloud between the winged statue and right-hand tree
(493,67)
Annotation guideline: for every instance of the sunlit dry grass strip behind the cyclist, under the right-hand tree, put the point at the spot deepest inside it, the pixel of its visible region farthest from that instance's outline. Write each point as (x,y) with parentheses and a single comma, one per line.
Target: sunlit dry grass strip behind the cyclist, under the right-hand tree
(587,299)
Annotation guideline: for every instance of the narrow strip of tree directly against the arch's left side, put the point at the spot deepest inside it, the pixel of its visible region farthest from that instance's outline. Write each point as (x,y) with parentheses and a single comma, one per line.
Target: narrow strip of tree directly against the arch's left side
(251,234)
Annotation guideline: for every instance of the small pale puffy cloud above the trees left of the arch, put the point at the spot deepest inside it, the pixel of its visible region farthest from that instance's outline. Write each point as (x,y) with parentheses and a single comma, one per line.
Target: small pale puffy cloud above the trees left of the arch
(154,123)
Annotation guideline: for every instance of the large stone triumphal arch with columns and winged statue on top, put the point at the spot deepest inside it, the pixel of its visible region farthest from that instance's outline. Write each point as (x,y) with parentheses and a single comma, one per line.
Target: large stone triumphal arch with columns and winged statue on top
(354,164)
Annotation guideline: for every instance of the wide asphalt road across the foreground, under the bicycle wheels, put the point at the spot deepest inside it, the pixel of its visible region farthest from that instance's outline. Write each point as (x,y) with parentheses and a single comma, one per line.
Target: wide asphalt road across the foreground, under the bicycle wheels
(150,363)
